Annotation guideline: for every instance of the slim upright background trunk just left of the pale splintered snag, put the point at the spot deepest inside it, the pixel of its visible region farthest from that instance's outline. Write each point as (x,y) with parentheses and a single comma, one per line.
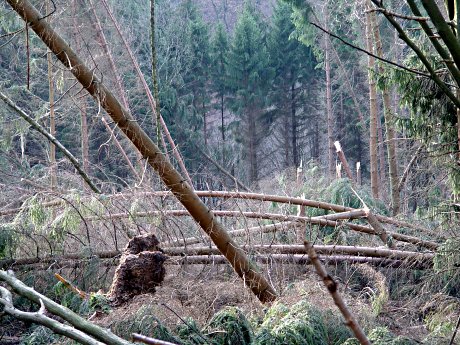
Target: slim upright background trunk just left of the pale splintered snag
(330,120)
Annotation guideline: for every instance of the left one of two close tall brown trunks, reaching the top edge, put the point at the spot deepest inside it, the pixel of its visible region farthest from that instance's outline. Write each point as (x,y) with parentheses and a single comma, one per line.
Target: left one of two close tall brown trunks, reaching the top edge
(372,108)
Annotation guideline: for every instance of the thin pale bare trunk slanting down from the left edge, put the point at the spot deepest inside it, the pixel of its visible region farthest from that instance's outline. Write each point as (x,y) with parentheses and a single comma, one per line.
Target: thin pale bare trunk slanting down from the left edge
(35,125)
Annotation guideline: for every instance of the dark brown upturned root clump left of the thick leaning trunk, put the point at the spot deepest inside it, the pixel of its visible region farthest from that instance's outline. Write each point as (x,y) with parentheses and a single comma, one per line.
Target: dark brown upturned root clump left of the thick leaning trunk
(140,270)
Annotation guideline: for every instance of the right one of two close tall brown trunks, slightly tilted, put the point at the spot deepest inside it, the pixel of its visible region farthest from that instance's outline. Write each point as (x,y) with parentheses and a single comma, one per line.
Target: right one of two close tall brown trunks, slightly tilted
(390,132)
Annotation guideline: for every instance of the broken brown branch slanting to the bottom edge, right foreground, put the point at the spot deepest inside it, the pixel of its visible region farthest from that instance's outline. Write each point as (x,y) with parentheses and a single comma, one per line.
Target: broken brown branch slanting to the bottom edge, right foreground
(332,287)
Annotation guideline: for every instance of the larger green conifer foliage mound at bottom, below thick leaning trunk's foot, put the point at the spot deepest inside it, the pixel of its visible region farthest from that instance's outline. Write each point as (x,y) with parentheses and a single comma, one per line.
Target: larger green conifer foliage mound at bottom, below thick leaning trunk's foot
(301,325)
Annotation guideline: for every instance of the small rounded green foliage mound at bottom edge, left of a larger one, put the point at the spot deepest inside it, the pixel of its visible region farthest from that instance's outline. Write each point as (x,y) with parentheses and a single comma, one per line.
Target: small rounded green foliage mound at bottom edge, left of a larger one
(230,326)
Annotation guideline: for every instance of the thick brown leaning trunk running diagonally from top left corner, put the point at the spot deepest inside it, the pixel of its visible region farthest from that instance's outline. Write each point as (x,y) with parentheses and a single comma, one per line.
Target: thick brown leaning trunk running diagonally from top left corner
(181,189)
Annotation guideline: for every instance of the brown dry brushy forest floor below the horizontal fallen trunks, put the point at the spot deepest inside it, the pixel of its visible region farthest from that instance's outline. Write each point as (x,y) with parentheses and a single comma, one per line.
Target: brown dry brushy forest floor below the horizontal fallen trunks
(198,292)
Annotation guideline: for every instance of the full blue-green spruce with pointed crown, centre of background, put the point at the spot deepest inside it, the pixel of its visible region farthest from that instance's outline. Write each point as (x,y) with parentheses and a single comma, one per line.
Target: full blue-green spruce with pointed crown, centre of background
(249,71)
